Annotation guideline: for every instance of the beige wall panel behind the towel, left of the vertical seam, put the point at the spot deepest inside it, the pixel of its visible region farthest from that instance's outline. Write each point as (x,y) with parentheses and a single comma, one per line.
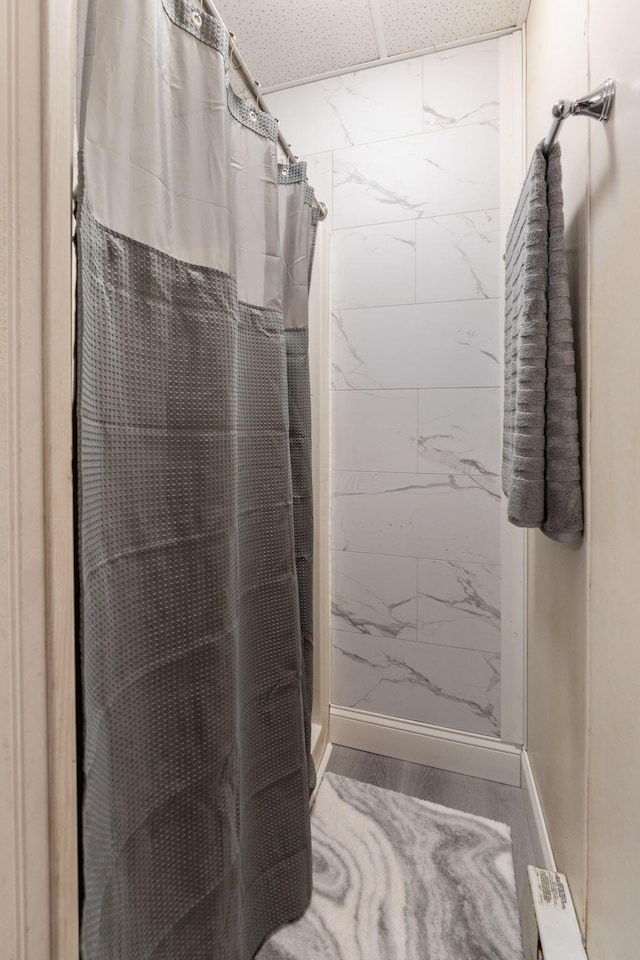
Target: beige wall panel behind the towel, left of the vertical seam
(557,66)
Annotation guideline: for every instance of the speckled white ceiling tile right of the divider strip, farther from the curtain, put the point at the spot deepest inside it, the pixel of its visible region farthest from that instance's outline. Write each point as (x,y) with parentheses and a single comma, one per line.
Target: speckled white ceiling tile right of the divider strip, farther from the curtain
(415,25)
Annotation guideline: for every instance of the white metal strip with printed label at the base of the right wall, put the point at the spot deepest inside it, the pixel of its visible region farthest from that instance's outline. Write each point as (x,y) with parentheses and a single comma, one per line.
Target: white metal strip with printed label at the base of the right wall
(559,933)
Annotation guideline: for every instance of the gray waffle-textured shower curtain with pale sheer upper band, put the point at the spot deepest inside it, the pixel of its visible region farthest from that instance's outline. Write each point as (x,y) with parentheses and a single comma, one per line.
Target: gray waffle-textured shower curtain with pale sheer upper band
(193,475)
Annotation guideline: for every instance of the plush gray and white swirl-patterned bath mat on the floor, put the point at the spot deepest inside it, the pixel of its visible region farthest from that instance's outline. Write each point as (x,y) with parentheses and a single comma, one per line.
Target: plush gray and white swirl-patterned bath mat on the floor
(397,878)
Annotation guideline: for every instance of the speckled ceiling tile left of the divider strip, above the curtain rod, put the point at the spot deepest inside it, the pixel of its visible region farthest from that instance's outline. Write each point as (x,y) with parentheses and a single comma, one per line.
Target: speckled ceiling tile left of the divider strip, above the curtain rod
(286,40)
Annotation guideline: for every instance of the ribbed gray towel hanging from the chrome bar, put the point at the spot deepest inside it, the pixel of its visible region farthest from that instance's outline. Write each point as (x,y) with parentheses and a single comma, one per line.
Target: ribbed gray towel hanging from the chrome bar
(541,452)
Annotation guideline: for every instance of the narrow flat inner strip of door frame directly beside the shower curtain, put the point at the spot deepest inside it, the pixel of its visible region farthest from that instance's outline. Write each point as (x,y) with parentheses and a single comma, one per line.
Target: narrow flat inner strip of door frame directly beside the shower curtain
(58,91)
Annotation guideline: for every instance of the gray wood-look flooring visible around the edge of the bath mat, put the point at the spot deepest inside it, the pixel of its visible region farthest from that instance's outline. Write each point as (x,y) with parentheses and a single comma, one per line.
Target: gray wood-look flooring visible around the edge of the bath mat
(497,801)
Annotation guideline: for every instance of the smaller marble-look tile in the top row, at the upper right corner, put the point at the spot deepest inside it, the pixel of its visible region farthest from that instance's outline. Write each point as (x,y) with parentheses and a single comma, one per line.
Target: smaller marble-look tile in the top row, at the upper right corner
(461,85)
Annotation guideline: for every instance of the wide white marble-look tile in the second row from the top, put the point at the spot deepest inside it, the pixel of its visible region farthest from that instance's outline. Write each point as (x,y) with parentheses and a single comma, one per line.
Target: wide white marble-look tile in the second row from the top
(433,174)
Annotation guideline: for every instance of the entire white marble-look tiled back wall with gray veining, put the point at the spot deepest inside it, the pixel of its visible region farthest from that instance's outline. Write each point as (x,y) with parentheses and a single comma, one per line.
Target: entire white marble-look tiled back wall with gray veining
(407,157)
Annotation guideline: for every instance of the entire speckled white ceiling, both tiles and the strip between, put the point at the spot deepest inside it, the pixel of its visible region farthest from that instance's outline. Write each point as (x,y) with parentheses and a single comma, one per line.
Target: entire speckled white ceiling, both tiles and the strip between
(284,41)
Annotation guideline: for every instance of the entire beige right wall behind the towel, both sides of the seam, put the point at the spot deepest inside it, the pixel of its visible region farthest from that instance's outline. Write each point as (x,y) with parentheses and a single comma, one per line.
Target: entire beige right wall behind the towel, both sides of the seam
(584,664)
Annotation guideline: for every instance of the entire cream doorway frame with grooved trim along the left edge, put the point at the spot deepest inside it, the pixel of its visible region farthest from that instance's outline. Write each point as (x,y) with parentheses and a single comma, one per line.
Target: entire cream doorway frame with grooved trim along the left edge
(38,813)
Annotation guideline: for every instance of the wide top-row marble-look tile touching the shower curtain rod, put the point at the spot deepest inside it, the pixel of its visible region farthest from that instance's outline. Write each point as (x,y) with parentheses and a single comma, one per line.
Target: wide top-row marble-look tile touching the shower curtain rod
(377,104)
